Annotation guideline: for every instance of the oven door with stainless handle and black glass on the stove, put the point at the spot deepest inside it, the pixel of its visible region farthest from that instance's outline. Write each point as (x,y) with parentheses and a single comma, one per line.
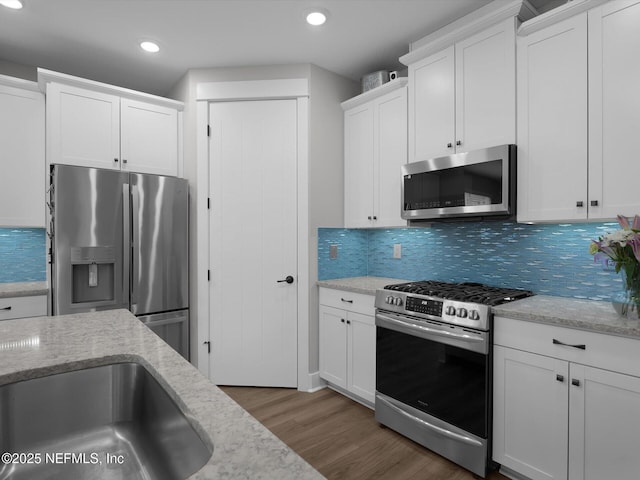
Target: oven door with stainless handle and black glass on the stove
(441,370)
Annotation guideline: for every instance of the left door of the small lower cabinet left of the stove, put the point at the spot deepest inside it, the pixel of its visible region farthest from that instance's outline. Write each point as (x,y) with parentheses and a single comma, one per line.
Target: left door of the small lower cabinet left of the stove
(333,346)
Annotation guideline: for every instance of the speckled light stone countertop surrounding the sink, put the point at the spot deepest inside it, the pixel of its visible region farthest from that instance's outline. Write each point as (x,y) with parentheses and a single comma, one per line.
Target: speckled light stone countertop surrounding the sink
(242,447)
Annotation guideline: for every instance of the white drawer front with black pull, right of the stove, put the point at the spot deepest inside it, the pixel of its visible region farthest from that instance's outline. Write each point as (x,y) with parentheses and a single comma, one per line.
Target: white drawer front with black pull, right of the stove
(610,352)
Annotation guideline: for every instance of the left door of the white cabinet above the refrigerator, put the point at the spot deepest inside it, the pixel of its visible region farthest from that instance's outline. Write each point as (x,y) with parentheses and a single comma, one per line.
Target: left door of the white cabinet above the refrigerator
(83,127)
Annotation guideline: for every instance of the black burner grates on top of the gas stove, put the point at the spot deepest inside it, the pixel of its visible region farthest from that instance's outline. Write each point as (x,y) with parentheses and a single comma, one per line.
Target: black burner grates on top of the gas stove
(464,292)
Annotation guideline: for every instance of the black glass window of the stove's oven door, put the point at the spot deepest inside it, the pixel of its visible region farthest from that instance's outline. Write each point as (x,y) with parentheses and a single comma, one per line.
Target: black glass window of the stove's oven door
(446,382)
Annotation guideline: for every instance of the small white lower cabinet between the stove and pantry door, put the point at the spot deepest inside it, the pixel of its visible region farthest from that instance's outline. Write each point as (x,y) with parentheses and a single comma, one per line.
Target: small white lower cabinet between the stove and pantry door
(348,343)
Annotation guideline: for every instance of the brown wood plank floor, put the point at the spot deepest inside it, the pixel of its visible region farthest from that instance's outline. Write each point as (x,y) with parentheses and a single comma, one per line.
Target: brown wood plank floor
(340,437)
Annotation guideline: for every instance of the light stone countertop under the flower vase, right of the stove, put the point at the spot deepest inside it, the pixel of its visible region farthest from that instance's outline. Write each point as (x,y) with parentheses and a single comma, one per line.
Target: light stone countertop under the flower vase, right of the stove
(570,312)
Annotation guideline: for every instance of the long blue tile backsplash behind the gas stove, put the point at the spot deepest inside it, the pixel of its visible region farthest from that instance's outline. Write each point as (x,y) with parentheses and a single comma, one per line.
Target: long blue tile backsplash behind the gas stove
(548,259)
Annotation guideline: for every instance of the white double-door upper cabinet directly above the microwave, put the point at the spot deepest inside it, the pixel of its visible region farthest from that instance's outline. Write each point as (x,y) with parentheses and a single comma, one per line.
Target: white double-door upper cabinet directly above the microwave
(462,97)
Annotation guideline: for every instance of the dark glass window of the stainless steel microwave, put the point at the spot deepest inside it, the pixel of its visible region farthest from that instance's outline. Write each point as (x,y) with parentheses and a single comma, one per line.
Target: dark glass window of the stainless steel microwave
(464,186)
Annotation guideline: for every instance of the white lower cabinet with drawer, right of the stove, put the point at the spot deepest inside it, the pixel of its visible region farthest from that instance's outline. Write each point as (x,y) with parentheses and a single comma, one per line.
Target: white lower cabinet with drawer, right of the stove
(556,418)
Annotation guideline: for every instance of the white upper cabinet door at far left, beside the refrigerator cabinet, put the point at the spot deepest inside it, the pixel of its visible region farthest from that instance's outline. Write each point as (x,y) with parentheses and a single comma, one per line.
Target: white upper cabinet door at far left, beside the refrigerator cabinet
(22,183)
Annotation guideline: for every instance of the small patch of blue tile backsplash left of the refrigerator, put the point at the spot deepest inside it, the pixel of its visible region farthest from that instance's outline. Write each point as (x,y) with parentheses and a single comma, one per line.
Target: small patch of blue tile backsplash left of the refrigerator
(22,255)
